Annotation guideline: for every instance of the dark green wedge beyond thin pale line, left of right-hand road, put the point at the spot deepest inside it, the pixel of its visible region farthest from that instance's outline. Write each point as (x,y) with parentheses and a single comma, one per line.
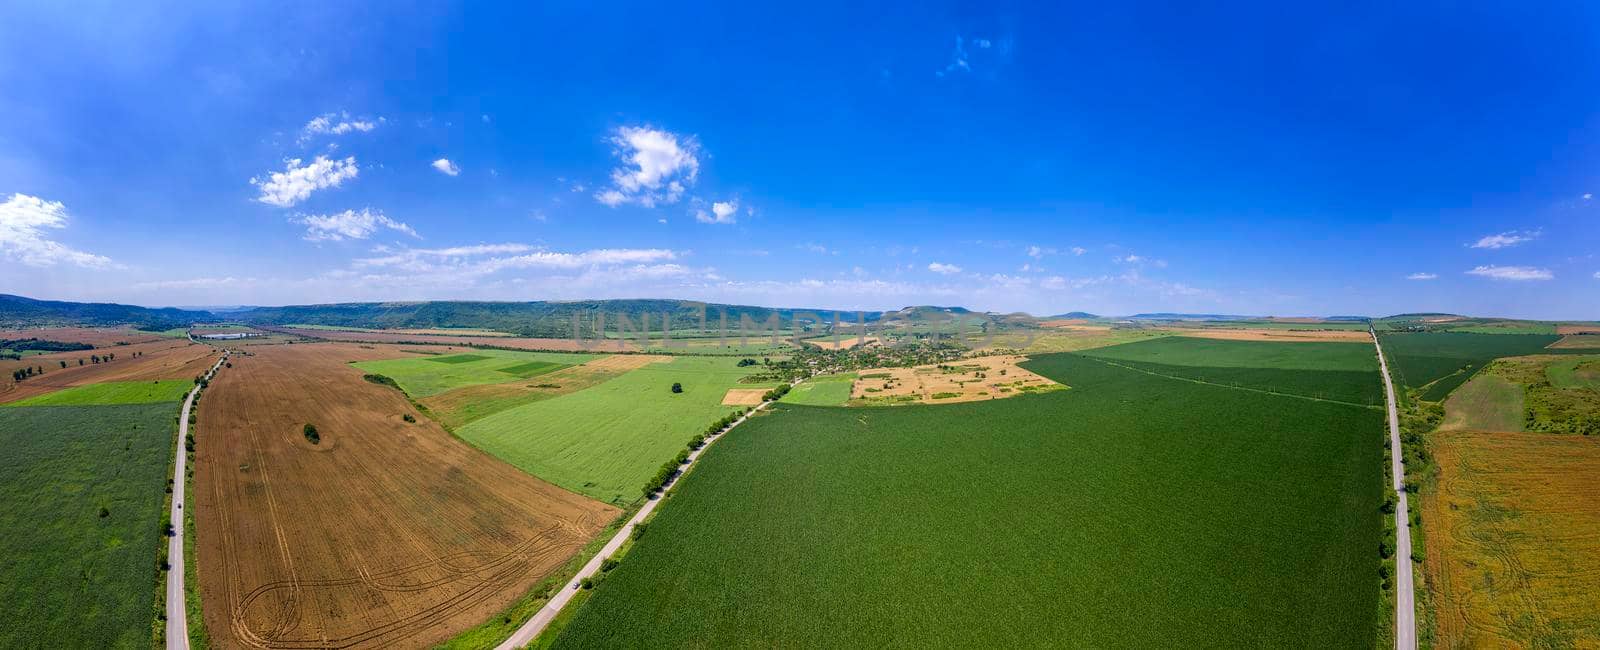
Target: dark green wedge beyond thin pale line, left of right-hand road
(1343,372)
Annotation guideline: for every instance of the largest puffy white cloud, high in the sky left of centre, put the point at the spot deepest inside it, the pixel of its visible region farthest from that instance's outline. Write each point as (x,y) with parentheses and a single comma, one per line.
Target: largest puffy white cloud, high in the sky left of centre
(657,167)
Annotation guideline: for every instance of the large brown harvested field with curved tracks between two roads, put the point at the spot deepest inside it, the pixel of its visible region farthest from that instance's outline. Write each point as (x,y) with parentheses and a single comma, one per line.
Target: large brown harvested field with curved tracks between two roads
(382,534)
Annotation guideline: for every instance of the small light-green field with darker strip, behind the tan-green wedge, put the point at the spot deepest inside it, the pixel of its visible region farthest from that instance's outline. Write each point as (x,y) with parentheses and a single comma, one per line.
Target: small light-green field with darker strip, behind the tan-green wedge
(430,375)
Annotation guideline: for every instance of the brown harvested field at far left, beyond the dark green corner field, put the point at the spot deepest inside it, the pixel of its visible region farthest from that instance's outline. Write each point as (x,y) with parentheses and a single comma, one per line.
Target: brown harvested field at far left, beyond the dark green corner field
(164,359)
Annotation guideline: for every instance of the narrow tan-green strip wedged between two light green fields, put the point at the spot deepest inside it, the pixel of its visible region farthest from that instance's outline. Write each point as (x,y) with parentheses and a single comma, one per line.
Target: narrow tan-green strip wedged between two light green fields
(473,403)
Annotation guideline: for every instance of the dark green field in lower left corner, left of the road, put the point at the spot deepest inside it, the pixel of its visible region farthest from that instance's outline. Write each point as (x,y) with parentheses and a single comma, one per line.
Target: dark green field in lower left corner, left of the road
(81,505)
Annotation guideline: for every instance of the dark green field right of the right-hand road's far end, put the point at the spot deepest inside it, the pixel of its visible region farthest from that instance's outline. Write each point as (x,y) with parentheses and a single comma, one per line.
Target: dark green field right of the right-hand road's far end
(1438,363)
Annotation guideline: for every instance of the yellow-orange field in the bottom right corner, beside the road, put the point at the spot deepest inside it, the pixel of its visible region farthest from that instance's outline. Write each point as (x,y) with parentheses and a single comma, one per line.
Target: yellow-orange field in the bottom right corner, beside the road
(1514,540)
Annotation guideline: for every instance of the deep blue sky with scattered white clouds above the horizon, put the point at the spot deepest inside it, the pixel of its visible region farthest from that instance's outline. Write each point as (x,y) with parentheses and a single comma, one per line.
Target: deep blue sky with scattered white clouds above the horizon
(1106,158)
